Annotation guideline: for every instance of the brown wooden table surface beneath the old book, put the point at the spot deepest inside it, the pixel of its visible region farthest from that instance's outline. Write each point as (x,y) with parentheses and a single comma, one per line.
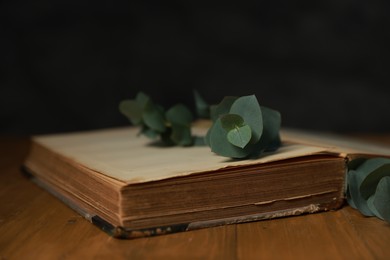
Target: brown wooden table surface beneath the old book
(35,225)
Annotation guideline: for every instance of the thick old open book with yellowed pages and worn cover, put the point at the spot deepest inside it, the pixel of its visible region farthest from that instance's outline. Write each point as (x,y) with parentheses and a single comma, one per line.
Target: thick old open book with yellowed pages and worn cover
(131,187)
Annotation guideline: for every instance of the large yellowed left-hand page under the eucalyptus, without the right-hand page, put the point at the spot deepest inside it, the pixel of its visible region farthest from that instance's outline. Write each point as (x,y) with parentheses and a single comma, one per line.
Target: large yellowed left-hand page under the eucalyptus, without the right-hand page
(122,154)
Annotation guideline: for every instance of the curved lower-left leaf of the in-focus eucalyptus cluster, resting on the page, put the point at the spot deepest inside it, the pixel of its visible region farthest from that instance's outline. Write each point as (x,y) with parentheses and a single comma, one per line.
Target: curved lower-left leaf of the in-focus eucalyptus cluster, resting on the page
(220,145)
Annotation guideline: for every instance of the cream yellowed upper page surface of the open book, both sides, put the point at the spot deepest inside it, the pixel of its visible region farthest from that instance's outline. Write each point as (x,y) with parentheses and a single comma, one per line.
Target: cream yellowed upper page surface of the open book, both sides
(123,155)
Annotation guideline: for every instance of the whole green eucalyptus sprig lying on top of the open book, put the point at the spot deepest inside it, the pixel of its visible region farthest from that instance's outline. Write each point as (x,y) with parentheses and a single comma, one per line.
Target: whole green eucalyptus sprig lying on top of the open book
(241,127)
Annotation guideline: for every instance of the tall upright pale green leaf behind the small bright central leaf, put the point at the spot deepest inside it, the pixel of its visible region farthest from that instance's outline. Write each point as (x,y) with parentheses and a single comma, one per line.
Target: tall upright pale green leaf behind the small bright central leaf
(249,109)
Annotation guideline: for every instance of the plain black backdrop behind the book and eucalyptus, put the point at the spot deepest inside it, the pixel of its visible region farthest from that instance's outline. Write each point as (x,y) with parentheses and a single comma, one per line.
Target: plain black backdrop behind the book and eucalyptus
(65,65)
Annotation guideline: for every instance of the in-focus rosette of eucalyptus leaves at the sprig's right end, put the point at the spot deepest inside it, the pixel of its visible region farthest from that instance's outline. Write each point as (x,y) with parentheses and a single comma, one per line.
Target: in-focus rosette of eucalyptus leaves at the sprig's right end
(241,123)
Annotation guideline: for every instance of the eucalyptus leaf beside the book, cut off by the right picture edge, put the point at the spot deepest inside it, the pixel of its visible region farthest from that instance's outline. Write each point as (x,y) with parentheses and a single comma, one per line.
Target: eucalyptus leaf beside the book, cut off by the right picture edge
(381,200)
